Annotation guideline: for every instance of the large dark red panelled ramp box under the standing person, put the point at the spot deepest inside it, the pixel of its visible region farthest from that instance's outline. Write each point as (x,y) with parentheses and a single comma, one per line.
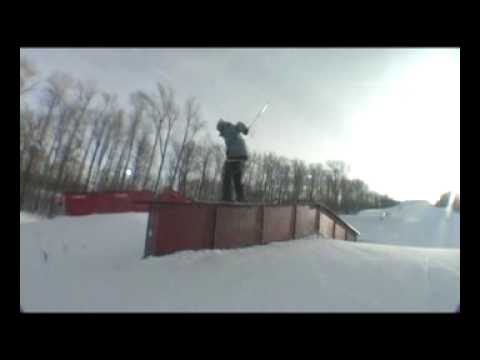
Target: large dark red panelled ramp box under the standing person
(199,225)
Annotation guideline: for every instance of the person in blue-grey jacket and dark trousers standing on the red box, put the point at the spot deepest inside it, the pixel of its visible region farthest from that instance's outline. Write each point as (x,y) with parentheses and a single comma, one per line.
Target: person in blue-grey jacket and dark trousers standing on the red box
(237,155)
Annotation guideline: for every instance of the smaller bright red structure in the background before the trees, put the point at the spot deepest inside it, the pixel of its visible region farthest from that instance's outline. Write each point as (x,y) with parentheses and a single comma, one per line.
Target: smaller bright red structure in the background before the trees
(107,202)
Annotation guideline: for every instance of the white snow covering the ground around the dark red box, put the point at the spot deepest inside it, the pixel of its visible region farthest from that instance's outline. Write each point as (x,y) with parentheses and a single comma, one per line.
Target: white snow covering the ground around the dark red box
(94,264)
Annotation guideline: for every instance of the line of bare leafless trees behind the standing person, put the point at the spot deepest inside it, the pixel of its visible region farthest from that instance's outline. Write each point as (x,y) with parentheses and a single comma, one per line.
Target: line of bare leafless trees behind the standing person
(75,138)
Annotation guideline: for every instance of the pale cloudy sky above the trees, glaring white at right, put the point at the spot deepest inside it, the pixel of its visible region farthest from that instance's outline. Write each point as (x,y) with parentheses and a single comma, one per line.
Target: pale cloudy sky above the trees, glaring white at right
(392,114)
